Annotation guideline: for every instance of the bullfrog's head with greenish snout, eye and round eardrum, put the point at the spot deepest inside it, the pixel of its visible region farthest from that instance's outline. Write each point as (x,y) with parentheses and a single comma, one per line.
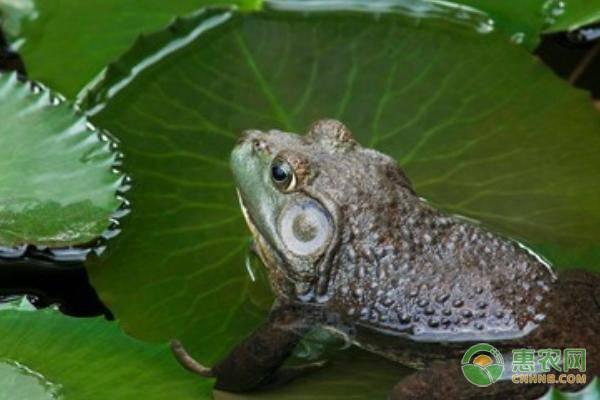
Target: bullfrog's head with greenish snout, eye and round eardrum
(294,191)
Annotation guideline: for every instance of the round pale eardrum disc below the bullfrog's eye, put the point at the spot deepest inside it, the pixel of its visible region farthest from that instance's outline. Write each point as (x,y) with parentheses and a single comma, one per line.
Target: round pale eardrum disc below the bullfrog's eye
(305,227)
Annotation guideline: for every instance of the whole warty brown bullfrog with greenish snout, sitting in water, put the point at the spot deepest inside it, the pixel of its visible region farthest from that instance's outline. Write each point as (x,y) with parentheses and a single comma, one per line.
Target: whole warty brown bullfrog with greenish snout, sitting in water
(350,246)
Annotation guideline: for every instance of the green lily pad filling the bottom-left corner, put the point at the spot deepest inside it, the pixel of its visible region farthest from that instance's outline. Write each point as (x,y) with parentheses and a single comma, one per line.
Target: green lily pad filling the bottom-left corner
(48,356)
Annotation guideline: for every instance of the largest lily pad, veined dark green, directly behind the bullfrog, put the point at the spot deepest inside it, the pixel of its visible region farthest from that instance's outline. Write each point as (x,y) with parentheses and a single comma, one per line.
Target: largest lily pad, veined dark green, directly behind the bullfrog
(481,127)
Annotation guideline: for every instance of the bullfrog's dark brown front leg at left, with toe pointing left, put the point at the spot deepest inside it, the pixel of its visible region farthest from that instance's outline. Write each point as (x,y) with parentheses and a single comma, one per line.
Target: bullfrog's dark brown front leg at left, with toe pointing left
(256,362)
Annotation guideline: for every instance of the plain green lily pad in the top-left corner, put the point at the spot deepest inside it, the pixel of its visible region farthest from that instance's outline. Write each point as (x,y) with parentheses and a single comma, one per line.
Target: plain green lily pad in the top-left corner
(69,42)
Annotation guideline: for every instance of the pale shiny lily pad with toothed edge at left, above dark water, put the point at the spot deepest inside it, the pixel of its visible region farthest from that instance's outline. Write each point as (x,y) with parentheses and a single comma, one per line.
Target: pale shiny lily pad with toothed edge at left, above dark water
(57,186)
